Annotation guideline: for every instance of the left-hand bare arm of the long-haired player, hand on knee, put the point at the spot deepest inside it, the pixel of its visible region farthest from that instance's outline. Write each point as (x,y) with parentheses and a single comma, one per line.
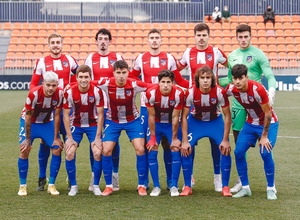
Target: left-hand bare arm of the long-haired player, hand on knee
(185,147)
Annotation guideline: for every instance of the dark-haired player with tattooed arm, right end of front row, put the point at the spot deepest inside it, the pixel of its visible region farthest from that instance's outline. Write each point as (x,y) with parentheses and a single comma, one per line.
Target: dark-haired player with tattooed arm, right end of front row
(262,124)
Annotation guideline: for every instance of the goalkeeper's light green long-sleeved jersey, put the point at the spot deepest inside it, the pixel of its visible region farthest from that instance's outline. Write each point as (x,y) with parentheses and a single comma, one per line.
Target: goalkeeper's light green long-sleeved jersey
(257,64)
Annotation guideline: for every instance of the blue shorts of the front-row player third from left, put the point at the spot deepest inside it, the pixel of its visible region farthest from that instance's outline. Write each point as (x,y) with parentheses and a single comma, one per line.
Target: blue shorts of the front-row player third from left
(112,130)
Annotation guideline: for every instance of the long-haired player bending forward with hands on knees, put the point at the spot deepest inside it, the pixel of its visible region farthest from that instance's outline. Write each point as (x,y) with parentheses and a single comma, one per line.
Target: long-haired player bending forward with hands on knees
(206,121)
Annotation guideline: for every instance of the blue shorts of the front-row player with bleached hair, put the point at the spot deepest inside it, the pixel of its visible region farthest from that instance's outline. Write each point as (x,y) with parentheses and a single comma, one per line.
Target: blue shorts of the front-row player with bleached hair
(45,131)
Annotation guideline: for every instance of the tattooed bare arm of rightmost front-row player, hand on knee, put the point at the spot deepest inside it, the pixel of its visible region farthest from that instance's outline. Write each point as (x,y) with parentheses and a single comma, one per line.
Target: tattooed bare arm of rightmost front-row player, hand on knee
(264,140)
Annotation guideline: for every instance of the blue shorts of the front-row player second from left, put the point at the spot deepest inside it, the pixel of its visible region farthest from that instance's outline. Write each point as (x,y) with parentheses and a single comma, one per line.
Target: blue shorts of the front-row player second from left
(77,133)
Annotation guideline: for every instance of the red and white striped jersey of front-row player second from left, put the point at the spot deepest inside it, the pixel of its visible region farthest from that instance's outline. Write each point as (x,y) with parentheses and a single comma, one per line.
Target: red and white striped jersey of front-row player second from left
(84,105)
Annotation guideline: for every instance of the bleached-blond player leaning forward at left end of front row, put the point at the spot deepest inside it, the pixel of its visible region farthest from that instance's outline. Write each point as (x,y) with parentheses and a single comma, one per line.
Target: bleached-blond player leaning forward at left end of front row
(37,122)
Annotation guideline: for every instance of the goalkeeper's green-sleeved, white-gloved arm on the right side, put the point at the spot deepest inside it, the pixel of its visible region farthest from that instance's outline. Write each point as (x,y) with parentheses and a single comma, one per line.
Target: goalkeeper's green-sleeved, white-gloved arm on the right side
(266,69)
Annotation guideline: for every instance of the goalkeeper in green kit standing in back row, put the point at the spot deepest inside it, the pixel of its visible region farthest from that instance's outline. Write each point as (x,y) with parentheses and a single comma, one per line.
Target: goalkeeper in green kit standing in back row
(257,64)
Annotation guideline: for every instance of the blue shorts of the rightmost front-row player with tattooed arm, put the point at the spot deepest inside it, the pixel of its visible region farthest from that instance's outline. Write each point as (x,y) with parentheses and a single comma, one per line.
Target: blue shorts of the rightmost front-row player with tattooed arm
(250,133)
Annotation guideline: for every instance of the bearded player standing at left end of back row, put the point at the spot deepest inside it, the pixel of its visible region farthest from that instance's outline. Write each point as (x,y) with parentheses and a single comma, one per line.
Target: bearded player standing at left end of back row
(65,67)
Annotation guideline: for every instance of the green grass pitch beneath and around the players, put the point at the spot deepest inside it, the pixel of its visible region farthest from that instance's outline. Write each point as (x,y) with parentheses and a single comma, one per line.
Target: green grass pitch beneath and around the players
(126,204)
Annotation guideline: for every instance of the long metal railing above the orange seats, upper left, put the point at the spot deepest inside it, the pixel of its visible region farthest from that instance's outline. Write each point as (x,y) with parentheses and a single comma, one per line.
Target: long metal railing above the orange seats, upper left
(28,11)
